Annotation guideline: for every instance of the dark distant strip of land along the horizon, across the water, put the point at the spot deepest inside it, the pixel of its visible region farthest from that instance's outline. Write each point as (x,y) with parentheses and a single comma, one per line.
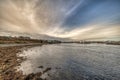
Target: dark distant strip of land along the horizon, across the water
(28,40)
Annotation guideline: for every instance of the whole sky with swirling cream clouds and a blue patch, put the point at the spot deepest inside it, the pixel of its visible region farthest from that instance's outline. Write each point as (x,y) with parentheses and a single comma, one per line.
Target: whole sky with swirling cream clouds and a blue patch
(72,19)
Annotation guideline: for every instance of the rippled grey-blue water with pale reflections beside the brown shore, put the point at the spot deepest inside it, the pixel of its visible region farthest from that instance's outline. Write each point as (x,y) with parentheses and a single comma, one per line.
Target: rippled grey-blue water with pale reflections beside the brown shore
(72,61)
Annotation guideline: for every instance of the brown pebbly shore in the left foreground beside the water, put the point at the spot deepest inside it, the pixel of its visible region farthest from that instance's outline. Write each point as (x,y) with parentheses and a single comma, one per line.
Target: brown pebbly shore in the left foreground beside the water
(9,61)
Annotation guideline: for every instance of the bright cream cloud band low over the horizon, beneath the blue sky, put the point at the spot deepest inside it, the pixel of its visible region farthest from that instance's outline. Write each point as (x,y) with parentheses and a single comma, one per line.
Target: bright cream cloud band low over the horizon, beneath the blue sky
(91,32)
